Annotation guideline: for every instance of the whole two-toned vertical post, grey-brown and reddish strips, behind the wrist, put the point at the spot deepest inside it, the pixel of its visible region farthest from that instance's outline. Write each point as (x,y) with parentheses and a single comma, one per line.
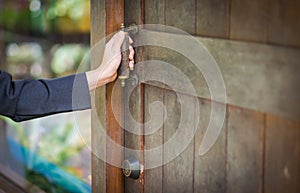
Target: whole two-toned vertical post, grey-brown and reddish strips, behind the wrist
(106,18)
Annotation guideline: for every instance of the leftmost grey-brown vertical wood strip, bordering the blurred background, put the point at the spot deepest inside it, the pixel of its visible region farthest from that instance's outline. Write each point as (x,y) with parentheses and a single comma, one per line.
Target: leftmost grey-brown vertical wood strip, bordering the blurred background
(98,102)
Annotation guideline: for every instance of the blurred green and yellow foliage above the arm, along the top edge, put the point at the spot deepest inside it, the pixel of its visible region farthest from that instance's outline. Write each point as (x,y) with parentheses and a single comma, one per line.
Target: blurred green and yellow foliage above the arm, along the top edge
(40,17)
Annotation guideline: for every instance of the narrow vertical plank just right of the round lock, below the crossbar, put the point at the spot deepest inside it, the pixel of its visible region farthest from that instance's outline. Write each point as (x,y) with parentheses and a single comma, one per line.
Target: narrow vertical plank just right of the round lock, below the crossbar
(153,177)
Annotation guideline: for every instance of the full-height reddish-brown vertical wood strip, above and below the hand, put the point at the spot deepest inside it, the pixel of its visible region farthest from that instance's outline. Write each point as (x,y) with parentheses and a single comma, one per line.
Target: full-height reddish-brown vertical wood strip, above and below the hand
(114,10)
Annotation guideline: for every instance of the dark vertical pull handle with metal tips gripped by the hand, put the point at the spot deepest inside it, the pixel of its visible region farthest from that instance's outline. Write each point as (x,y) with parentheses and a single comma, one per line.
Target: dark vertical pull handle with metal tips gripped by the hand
(123,70)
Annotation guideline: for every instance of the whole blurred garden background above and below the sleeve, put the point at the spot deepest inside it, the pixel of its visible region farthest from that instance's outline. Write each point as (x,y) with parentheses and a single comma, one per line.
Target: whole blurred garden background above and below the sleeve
(45,39)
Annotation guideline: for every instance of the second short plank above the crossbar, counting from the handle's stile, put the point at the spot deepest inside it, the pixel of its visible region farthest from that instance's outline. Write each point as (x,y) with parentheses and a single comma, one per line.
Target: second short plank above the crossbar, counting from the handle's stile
(181,14)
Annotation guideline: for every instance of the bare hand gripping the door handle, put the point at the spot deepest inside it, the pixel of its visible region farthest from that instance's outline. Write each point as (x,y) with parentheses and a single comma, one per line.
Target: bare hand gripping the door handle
(107,71)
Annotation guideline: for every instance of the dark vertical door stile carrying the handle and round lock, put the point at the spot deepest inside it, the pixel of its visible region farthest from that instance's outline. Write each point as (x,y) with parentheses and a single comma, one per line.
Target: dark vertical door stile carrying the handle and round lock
(133,14)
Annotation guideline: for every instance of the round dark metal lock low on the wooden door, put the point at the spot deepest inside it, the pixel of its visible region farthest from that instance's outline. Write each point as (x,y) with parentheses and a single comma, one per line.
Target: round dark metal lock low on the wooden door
(131,167)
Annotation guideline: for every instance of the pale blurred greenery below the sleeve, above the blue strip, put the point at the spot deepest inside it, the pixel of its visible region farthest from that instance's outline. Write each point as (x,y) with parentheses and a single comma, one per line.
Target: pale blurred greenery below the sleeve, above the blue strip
(57,145)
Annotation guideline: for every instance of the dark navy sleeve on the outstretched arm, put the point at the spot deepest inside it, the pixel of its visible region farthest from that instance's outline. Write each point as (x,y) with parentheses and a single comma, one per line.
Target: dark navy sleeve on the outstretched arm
(27,99)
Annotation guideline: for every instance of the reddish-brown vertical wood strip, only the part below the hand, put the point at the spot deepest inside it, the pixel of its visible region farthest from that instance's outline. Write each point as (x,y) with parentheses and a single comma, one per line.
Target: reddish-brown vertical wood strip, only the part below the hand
(115,122)
